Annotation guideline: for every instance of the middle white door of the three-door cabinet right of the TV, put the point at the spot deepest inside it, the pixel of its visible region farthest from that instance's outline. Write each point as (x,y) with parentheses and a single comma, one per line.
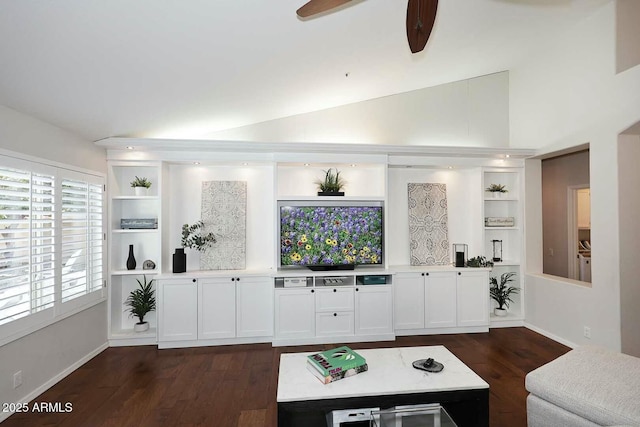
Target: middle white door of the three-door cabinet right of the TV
(440,299)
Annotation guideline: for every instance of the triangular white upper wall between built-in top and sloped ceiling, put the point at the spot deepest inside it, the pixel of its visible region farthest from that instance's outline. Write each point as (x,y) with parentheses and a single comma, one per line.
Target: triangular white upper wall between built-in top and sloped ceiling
(472,112)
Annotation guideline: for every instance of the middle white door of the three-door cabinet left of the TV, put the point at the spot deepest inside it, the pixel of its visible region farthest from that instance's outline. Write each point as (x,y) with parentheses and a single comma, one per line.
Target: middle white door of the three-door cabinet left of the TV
(216,308)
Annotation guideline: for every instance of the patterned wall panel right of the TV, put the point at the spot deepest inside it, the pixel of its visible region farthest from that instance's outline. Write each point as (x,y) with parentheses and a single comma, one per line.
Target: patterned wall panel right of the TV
(428,225)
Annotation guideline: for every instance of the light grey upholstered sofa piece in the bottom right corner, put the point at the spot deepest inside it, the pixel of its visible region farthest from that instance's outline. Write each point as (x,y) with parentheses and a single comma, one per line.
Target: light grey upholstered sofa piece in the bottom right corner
(588,386)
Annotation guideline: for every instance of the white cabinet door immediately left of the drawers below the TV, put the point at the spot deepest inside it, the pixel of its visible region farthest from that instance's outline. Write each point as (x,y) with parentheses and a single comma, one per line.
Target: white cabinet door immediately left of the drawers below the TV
(295,313)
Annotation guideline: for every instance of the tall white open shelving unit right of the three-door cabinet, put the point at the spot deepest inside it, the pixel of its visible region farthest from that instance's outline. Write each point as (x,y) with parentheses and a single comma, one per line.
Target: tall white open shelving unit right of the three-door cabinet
(506,205)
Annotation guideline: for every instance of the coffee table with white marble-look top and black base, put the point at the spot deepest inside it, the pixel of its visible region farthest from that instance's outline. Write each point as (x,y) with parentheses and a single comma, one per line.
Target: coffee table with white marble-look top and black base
(390,381)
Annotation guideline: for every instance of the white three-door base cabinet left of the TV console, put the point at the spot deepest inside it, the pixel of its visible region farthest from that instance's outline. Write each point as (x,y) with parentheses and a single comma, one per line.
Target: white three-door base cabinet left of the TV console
(214,310)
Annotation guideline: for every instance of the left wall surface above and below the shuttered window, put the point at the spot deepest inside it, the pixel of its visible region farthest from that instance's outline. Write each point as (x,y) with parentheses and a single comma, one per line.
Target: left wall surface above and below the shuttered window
(49,354)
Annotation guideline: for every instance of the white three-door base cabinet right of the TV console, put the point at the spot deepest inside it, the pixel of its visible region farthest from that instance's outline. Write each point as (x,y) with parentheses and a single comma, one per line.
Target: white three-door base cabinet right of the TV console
(437,301)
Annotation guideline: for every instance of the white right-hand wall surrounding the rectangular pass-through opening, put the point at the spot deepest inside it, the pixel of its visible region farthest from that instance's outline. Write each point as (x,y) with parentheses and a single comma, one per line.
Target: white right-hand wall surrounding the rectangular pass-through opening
(567,96)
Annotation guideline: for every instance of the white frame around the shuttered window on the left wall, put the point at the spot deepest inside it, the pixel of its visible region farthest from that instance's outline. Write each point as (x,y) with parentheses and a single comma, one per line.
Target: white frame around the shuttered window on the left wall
(20,327)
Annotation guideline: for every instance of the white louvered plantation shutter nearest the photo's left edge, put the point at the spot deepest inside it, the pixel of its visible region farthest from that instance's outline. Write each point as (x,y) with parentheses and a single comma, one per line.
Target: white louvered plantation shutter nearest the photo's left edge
(27,243)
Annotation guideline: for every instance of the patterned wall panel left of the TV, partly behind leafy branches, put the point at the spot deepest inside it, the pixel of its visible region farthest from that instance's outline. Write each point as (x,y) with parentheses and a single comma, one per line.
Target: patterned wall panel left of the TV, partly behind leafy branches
(224,212)
